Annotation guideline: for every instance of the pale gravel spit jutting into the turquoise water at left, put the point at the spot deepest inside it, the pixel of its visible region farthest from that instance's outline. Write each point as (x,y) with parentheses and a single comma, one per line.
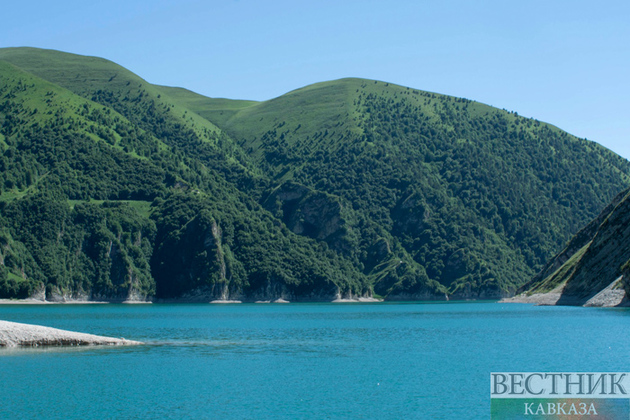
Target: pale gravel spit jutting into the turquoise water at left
(13,334)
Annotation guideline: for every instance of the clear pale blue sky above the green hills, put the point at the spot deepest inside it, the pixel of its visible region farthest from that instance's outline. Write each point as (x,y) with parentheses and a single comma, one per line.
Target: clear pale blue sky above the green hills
(565,62)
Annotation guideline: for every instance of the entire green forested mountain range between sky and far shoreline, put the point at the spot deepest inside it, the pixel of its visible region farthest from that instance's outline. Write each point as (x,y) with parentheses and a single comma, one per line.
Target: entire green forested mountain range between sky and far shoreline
(339,189)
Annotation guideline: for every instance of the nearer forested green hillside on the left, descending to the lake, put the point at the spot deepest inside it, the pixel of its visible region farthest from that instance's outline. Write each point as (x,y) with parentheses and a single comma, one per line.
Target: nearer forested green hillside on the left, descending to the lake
(99,189)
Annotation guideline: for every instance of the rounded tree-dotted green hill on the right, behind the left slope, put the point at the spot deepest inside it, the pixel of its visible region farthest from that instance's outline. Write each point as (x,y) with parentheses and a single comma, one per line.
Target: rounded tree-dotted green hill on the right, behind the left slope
(479,197)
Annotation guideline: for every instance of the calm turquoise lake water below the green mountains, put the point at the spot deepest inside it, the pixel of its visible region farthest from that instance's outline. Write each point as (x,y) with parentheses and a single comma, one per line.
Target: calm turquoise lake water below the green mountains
(293,361)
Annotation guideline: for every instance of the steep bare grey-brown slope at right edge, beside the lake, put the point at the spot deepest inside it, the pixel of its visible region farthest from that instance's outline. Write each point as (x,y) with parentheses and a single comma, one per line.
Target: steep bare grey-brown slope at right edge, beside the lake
(594,267)
